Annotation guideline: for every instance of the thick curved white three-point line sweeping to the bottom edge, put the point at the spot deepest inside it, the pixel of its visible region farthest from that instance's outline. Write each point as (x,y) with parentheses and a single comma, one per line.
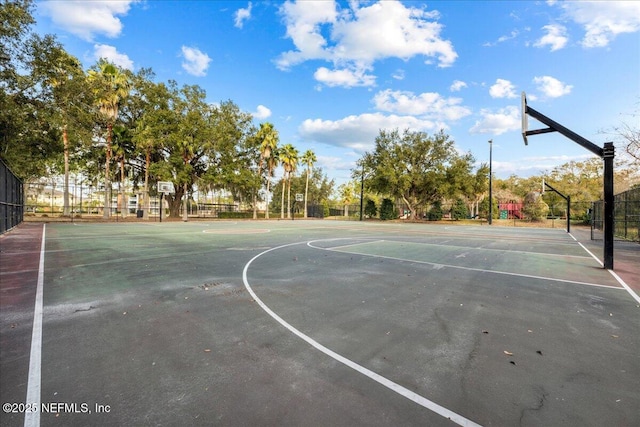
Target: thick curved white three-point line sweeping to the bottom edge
(422,401)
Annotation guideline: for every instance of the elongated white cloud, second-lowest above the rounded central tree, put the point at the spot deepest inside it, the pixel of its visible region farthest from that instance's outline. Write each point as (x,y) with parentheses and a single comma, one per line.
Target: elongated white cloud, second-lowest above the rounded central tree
(429,105)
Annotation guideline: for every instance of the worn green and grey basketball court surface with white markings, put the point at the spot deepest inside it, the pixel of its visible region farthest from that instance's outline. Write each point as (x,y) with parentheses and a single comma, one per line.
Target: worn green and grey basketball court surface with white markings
(325,323)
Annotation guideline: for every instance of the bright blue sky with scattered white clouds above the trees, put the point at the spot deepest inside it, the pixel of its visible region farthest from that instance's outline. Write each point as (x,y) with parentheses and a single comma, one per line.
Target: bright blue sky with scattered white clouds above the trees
(329,75)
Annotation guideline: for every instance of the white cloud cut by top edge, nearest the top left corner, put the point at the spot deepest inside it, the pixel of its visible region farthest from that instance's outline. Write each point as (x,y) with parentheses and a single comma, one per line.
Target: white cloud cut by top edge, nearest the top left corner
(88,18)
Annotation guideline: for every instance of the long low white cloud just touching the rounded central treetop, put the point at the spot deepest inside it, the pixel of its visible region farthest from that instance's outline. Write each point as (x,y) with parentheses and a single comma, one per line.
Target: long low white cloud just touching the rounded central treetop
(359,132)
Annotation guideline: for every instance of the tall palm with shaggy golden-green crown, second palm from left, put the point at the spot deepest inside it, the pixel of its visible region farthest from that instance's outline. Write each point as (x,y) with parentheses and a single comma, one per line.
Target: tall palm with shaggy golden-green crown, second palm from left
(110,86)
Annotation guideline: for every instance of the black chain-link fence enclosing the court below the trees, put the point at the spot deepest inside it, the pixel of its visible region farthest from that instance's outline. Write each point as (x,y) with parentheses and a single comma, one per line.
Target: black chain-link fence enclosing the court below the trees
(44,199)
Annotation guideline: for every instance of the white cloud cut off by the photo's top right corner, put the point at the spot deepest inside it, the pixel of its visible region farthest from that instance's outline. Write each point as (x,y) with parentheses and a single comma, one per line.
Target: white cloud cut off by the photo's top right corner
(603,21)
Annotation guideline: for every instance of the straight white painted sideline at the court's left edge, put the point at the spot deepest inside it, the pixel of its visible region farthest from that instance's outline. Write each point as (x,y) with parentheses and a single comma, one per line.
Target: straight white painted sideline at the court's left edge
(32,418)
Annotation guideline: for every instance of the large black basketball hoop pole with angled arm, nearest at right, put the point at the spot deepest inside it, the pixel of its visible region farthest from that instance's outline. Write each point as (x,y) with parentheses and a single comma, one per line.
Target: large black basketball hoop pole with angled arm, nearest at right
(607,153)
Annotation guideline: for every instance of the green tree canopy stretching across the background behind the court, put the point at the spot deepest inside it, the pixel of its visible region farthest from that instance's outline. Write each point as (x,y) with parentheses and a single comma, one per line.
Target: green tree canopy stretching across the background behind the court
(55,117)
